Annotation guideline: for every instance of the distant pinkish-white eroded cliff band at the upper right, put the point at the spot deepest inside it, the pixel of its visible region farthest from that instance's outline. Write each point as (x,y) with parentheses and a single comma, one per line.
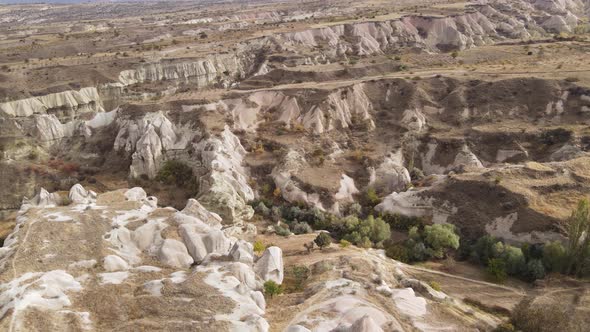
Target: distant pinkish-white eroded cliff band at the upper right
(482,24)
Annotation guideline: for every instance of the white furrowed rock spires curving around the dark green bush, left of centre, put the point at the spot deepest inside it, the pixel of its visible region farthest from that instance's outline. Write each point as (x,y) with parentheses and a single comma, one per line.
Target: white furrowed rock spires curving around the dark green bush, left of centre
(223,185)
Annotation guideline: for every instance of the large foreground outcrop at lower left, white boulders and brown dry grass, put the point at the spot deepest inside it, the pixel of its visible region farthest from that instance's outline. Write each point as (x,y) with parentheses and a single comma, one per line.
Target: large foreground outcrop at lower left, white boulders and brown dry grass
(123,252)
